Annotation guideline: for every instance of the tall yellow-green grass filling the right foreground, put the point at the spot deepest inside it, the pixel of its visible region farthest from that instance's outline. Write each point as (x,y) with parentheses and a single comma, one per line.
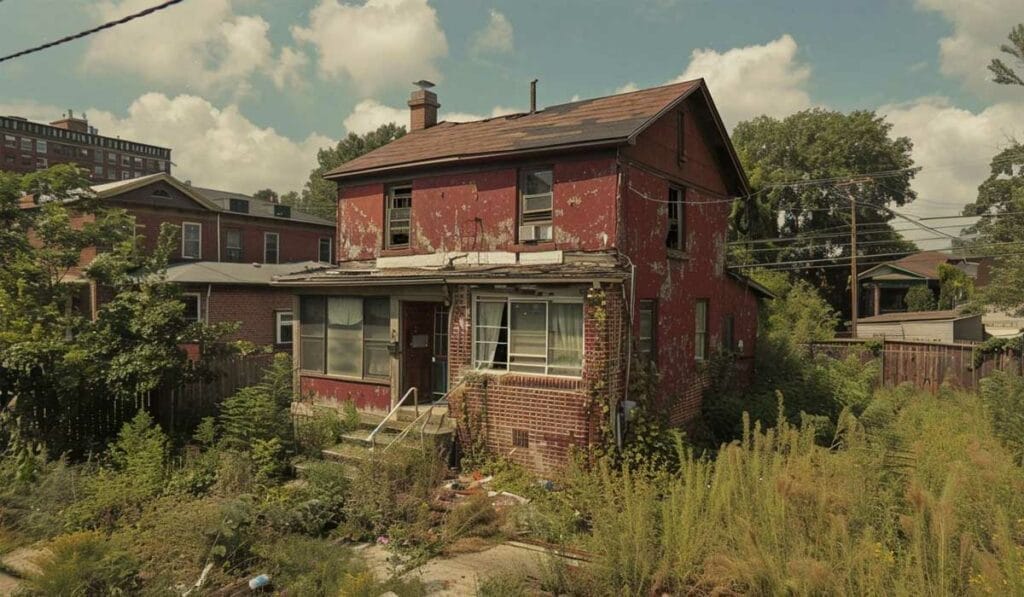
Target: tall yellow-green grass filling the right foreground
(916,497)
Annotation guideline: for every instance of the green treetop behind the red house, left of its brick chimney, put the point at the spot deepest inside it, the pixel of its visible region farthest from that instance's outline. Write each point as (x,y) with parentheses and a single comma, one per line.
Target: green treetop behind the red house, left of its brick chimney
(320,197)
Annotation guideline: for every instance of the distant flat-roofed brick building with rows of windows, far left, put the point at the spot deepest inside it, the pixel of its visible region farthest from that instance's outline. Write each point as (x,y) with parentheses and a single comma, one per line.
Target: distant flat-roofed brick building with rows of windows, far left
(28,147)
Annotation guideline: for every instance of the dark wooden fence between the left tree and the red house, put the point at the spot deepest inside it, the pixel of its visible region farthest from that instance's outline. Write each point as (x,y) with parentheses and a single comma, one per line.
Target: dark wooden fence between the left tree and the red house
(182,408)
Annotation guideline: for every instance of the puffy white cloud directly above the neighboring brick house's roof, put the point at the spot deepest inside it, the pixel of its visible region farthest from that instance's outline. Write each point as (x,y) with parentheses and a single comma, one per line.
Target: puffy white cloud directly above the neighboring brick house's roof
(216,147)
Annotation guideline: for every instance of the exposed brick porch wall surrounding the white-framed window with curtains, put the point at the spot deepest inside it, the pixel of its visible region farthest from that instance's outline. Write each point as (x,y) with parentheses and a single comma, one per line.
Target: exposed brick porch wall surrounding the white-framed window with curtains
(558,414)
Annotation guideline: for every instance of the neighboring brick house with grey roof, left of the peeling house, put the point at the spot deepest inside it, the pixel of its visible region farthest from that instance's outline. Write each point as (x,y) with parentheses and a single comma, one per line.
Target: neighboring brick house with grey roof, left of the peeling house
(230,248)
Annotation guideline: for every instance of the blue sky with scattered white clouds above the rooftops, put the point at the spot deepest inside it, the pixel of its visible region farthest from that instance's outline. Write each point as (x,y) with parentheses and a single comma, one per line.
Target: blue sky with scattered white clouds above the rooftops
(246,92)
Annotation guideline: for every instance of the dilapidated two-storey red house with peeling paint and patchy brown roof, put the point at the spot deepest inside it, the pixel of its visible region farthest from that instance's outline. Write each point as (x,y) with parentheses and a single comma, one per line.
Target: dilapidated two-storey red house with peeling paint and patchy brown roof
(524,262)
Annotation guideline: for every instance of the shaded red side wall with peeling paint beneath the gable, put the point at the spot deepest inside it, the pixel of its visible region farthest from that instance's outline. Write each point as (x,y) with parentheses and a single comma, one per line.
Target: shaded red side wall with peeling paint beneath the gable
(677,281)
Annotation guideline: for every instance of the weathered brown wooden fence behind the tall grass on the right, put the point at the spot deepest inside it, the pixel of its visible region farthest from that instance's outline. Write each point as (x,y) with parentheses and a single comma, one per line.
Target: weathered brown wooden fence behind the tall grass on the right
(926,365)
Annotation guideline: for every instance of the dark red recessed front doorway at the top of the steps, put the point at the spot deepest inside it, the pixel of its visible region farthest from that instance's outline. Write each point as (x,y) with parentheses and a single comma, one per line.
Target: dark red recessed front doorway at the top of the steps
(418,349)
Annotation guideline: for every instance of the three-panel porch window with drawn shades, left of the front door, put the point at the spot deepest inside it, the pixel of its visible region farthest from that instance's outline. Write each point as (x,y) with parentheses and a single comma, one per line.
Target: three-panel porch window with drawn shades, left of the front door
(347,336)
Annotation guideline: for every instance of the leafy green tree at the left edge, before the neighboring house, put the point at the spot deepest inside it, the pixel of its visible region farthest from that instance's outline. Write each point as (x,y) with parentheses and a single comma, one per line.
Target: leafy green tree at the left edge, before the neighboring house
(70,371)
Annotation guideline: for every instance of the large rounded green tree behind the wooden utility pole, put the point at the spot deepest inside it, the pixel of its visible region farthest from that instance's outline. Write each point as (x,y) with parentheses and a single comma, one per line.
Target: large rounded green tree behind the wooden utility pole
(817,145)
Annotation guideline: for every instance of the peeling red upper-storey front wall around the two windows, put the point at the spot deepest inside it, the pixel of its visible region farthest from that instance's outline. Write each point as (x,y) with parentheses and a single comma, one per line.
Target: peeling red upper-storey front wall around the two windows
(477,211)
